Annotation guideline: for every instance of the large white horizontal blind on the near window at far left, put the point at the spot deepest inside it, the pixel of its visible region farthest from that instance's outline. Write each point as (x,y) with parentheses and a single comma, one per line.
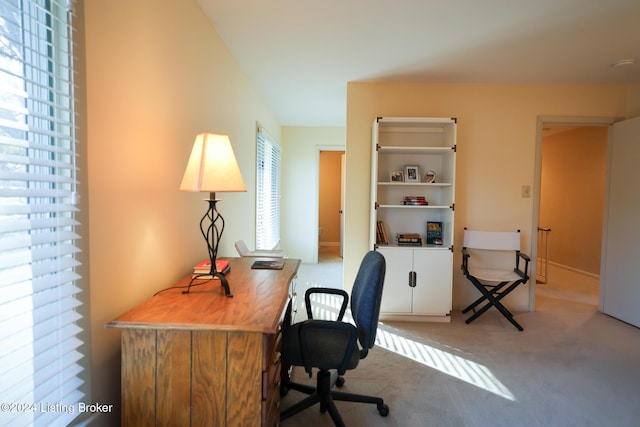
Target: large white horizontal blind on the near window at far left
(39,343)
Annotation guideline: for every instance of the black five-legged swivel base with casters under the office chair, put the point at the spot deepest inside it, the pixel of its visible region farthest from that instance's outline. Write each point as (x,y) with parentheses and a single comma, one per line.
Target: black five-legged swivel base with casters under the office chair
(323,395)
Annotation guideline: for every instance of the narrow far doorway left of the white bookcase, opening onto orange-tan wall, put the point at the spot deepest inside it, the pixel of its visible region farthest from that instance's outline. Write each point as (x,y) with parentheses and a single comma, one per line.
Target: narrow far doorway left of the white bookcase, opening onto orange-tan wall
(330,205)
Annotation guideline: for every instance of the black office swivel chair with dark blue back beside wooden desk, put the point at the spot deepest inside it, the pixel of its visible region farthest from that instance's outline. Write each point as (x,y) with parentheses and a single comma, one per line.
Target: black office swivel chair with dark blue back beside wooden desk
(333,345)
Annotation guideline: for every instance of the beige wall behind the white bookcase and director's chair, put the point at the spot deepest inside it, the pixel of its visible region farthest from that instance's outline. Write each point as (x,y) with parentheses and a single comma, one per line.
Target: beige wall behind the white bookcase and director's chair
(497,127)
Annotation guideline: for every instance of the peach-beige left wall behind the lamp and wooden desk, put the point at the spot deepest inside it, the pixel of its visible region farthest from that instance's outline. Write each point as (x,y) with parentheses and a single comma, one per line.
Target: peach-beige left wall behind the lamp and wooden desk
(157,74)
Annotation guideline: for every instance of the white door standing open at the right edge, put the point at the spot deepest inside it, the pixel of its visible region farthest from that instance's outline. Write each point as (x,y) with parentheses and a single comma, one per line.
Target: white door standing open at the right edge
(620,271)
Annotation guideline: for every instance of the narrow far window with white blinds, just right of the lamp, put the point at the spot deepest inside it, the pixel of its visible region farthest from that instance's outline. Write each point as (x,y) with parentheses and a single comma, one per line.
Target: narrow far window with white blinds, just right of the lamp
(268,192)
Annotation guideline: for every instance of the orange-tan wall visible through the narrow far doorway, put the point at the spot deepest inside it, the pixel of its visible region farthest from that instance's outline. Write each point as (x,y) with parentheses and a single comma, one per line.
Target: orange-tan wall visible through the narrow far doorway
(329,209)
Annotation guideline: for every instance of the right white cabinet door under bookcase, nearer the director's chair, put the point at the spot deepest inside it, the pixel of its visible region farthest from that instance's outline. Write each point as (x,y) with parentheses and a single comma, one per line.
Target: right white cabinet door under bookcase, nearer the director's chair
(434,276)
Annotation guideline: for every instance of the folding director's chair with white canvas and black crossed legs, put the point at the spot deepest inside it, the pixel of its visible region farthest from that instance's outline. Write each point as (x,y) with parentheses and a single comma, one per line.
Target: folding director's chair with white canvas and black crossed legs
(493,281)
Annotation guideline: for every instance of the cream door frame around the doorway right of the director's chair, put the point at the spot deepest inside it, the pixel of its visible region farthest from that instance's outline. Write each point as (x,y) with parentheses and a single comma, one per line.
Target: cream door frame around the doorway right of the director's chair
(537,180)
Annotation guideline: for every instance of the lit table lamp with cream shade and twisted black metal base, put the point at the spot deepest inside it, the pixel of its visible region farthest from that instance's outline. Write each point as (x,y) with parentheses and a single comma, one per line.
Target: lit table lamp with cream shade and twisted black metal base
(212,168)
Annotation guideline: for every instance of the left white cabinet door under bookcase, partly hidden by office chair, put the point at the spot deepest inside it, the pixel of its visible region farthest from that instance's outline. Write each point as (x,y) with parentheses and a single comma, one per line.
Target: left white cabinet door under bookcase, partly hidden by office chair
(396,293)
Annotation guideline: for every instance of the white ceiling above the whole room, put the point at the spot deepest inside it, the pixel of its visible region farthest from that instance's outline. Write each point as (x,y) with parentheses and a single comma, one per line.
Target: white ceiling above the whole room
(300,54)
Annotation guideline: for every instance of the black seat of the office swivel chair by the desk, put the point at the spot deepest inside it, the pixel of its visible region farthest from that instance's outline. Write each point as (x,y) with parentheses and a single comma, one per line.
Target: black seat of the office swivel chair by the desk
(327,344)
